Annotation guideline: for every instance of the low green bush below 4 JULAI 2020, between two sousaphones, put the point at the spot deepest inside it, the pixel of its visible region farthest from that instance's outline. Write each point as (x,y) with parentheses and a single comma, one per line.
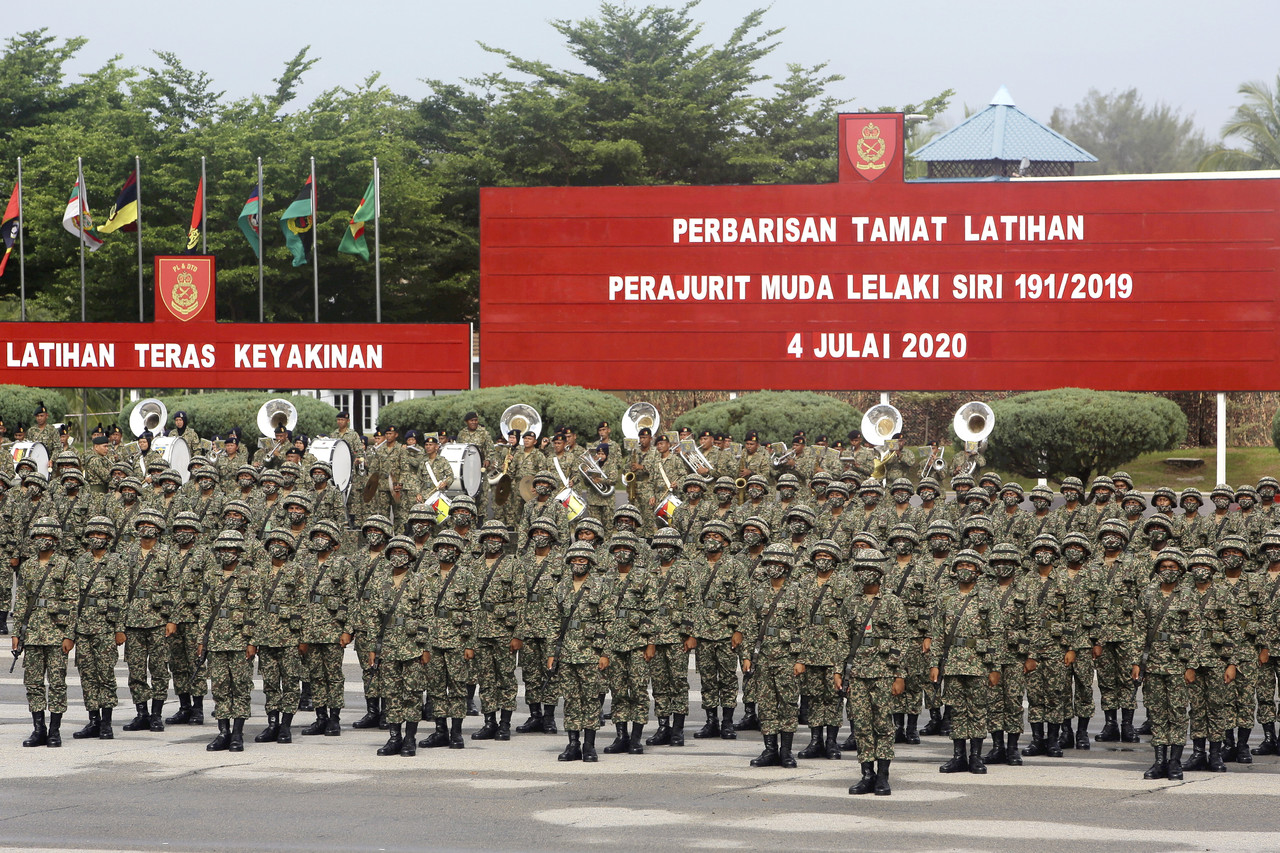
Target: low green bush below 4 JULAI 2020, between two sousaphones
(776,416)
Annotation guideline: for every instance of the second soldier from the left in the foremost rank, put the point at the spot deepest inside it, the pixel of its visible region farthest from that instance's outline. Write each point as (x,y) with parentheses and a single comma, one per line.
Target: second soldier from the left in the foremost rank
(227,610)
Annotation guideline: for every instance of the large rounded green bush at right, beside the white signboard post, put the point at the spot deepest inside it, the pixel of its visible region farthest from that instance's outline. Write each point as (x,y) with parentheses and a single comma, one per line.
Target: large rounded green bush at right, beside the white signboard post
(1075,432)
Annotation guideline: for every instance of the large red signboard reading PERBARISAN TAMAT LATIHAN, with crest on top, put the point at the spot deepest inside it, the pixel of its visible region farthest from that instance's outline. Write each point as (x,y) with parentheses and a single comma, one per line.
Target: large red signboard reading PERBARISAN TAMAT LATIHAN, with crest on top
(1014,285)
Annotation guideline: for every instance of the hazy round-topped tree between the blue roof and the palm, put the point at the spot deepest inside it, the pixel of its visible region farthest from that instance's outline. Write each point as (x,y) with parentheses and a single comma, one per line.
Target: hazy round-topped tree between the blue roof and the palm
(1128,136)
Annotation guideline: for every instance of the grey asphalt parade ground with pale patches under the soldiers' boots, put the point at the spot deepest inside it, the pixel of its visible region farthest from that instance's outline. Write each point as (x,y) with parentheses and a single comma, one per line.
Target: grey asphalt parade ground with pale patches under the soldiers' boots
(164,792)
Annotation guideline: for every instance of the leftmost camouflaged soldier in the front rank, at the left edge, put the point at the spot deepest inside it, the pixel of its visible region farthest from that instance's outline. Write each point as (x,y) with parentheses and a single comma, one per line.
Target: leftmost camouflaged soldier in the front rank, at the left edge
(48,595)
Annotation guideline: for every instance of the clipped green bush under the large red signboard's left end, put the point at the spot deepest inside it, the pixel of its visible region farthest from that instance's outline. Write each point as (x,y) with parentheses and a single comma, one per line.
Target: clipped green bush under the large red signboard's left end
(570,405)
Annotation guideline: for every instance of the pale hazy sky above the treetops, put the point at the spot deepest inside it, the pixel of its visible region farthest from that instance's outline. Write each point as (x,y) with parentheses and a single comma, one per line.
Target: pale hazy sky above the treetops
(1191,56)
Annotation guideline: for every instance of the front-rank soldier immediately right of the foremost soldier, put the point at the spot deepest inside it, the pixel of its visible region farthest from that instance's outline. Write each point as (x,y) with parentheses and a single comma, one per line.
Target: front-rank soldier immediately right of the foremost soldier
(967,637)
